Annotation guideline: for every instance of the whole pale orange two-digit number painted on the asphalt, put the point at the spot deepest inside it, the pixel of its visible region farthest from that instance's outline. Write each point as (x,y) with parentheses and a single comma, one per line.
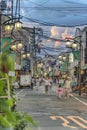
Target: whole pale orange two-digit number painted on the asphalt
(72,118)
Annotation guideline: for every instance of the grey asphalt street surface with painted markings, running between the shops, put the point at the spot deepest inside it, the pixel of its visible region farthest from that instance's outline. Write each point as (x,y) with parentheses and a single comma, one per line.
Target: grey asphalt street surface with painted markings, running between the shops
(53,114)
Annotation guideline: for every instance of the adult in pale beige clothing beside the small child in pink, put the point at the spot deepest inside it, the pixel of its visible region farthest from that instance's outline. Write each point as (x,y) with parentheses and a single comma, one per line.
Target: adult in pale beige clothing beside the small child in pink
(67,87)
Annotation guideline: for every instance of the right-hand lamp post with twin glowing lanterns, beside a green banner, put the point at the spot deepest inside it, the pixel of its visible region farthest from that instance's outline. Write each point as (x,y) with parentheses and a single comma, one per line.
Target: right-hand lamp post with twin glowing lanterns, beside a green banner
(74,46)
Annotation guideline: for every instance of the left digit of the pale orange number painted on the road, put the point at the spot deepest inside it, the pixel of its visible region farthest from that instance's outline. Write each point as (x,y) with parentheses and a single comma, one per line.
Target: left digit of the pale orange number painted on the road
(65,121)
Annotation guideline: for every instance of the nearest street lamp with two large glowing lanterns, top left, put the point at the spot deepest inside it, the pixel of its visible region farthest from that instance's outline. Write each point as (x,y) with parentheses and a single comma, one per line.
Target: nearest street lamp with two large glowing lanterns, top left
(11,22)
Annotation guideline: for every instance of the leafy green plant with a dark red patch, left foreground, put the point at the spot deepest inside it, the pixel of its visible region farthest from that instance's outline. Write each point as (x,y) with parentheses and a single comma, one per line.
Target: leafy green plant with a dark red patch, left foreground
(9,118)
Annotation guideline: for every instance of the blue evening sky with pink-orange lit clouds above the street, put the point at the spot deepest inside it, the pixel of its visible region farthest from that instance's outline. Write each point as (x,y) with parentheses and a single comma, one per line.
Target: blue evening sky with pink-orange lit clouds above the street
(58,18)
